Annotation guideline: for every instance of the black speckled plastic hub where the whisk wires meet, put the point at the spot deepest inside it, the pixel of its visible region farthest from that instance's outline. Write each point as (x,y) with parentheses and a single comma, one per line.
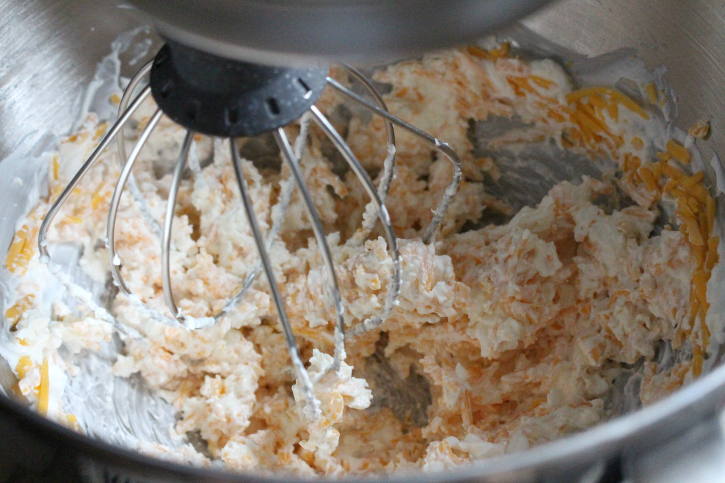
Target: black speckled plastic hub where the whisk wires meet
(221,97)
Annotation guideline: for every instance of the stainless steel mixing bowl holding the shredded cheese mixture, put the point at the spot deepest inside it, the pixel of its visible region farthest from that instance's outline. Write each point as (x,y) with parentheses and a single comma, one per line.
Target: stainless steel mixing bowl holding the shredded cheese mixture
(49,51)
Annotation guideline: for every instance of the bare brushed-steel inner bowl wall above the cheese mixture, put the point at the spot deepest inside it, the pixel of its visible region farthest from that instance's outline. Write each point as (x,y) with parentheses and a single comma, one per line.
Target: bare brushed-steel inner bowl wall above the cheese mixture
(52,49)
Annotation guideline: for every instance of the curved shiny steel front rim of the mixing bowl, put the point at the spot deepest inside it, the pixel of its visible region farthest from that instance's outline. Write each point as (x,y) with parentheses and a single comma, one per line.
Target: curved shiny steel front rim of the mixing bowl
(701,399)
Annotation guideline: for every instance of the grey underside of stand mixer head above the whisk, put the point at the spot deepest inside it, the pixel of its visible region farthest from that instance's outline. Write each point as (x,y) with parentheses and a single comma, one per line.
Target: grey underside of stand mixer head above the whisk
(293,32)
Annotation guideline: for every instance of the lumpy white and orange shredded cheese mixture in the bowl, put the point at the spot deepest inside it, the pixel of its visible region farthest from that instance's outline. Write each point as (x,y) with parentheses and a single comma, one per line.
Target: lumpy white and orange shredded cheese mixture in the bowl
(513,334)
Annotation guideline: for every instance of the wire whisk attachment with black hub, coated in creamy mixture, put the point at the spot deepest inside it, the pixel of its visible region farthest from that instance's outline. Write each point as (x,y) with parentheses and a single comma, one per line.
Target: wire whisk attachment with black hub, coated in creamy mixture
(230,99)
